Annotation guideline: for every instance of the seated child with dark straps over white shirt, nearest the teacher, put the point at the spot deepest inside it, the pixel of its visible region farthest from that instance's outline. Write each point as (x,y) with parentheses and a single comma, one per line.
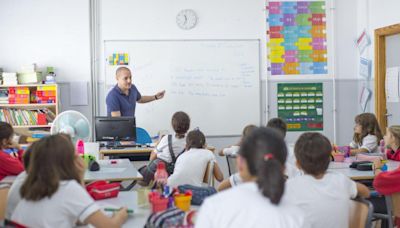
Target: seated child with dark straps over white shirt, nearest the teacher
(162,153)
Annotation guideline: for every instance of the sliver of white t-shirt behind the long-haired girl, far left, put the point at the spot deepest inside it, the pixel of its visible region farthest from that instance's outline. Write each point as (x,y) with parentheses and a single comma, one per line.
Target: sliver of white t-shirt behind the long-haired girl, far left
(14,196)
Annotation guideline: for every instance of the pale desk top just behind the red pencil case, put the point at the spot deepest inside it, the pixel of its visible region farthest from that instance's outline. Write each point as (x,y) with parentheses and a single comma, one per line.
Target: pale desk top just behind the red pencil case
(113,170)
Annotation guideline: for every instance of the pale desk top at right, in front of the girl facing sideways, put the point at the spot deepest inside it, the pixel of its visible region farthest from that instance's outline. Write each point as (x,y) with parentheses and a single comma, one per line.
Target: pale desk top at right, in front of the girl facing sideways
(343,167)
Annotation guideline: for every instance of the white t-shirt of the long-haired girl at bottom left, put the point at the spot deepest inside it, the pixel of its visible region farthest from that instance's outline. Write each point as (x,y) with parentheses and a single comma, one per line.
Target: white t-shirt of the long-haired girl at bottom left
(64,208)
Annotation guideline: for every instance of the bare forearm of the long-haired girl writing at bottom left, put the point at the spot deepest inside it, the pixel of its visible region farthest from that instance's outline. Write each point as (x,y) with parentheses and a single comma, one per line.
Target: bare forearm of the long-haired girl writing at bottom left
(100,220)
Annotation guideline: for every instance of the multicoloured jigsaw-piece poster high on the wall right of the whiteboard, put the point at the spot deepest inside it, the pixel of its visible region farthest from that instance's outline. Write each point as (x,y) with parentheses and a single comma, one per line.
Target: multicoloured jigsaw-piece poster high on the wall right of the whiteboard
(297,37)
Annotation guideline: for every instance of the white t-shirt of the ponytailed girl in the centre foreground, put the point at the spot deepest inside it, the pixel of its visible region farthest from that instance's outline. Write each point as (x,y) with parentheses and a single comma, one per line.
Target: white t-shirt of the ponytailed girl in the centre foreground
(245,206)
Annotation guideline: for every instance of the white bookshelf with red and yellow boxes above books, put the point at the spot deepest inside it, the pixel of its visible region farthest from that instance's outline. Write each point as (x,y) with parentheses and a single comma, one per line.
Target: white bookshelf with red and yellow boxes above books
(29,107)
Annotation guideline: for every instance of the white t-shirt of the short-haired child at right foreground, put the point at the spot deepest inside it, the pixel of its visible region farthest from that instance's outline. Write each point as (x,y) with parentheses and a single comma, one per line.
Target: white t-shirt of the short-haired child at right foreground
(325,201)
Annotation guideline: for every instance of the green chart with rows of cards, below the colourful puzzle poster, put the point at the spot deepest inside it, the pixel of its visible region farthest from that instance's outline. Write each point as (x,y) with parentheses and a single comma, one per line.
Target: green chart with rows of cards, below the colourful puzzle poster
(301,106)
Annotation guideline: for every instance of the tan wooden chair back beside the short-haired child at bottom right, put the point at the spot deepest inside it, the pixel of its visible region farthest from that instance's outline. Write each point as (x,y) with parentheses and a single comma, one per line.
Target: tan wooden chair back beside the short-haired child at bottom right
(361,213)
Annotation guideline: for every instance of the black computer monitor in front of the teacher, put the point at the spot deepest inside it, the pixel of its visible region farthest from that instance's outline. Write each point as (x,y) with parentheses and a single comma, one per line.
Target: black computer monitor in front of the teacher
(115,128)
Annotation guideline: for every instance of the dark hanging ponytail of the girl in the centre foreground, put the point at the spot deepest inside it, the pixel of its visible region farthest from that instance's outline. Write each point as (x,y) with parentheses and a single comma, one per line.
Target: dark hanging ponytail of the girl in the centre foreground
(271,180)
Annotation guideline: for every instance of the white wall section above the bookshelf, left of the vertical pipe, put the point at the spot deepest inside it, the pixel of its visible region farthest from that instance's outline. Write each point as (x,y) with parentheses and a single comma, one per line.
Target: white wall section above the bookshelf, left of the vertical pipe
(49,33)
